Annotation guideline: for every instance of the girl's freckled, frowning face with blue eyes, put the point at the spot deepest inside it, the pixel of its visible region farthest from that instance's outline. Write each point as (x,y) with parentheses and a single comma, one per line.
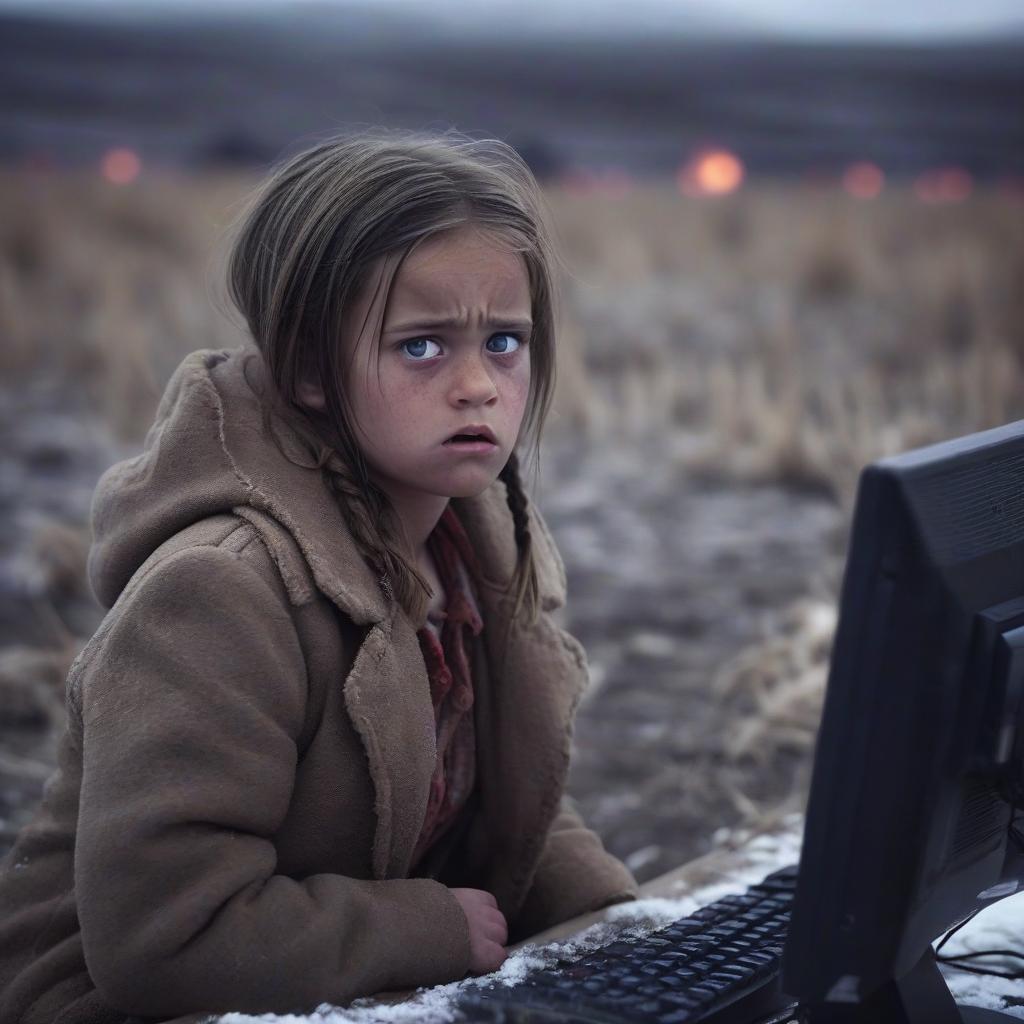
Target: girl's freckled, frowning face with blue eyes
(454,358)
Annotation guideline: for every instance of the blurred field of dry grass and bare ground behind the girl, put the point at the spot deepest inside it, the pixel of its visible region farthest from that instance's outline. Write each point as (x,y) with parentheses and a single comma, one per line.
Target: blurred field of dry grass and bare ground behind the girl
(773,342)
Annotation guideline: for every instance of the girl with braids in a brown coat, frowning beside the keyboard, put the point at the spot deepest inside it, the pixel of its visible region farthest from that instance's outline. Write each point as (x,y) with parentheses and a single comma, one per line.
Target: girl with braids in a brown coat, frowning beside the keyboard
(318,747)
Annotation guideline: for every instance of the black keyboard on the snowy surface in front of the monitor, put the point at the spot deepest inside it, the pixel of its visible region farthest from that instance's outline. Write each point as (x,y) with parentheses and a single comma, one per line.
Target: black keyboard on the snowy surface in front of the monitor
(719,966)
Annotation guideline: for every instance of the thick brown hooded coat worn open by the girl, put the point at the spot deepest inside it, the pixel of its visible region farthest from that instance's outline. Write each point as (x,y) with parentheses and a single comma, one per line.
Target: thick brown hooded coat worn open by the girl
(250,743)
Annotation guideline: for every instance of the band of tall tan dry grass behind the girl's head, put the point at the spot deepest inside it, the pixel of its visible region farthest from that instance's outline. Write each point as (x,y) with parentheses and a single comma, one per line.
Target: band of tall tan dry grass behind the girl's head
(794,333)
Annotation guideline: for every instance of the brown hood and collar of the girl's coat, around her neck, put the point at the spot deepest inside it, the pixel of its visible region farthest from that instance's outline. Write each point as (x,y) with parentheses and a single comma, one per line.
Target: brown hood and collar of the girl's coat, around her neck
(207,454)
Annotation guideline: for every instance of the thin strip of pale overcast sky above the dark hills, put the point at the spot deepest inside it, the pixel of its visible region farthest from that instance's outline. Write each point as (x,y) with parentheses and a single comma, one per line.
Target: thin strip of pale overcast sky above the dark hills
(879,19)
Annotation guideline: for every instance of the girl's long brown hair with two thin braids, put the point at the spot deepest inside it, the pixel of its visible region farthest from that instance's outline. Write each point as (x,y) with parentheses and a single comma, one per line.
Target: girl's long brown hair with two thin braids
(315,235)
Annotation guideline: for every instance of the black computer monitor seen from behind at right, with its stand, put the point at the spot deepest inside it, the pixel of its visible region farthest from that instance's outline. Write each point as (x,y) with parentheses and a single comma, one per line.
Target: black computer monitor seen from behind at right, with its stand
(914,813)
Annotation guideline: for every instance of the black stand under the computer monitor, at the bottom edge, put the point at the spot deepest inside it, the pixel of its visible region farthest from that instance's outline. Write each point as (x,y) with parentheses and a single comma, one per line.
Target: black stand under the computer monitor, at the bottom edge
(921,997)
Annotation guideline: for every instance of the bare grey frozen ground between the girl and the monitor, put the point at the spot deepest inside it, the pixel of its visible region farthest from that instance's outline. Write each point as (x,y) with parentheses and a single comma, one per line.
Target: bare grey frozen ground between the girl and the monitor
(669,578)
